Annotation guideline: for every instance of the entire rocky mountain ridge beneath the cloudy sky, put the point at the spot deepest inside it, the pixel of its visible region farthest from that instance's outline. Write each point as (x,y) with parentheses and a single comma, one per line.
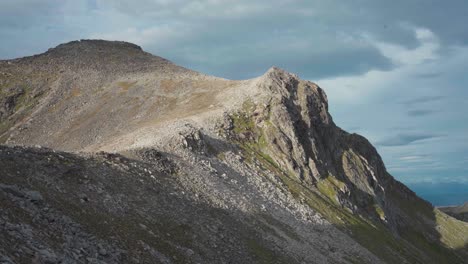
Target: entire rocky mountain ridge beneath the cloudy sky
(113,155)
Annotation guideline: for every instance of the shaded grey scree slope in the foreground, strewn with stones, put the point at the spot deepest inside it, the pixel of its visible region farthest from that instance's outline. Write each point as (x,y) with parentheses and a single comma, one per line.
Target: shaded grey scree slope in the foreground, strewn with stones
(105,208)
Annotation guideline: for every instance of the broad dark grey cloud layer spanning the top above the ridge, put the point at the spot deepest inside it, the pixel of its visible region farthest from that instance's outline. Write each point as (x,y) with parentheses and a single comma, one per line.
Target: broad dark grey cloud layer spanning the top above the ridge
(240,39)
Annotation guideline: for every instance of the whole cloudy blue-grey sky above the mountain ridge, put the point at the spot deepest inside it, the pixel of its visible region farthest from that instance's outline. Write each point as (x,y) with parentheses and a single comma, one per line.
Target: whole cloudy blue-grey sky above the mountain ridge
(395,71)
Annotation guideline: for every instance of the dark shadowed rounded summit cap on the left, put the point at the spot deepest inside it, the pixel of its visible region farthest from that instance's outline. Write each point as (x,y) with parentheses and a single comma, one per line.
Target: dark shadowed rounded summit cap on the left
(99,56)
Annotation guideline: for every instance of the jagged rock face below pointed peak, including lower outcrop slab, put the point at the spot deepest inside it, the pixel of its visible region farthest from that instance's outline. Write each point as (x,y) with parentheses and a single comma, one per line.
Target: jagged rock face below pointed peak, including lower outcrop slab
(293,128)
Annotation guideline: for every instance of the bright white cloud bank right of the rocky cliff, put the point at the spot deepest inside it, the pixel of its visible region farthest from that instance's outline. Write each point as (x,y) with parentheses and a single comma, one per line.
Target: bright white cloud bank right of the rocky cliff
(375,100)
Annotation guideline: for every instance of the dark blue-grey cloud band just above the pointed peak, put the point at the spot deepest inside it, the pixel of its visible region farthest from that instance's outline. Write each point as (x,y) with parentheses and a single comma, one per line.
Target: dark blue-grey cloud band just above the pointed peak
(307,64)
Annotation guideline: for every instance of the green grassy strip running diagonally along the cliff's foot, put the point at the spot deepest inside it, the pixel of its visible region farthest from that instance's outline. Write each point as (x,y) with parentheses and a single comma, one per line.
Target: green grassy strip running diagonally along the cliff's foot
(322,199)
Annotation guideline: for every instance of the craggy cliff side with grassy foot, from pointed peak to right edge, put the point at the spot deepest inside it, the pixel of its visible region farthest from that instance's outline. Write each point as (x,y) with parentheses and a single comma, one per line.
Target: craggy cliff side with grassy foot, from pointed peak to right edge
(293,133)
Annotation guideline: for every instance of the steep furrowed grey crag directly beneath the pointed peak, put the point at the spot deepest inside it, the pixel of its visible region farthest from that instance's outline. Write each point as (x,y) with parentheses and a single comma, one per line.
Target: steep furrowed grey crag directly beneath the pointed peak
(294,119)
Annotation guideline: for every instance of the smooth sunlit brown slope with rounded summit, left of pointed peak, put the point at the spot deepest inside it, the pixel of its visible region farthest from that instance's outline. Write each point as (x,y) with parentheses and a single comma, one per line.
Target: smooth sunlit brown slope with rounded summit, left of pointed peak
(75,86)
